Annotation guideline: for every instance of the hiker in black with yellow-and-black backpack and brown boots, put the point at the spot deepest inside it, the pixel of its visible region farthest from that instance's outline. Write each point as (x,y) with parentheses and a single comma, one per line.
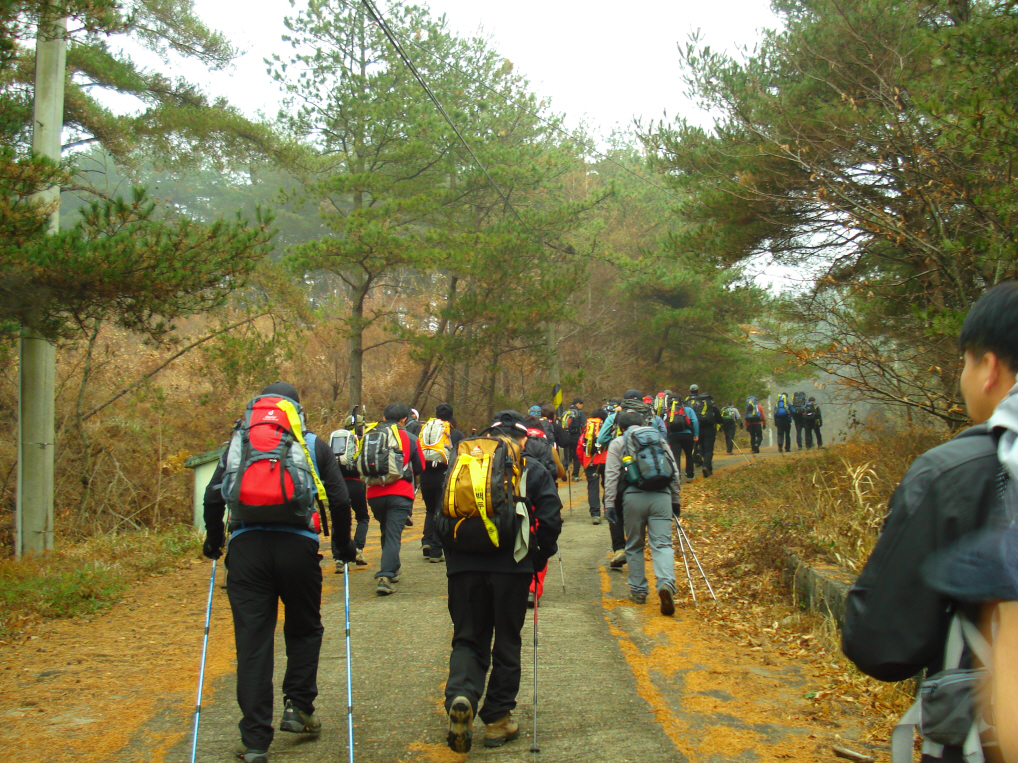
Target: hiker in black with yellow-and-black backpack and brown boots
(488,594)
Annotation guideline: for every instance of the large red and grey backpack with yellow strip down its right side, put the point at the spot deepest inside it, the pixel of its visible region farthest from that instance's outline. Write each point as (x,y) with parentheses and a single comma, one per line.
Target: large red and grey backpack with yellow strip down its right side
(271,477)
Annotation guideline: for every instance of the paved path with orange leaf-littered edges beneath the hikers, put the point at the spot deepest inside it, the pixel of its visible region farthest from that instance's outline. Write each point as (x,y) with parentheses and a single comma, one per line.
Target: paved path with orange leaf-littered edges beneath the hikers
(744,681)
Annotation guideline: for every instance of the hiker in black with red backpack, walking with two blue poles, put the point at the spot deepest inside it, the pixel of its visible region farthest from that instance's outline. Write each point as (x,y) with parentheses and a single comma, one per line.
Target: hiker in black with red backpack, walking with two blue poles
(273,557)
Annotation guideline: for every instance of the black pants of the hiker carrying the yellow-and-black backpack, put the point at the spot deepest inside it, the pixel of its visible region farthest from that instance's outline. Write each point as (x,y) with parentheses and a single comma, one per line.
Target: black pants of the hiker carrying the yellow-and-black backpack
(483,606)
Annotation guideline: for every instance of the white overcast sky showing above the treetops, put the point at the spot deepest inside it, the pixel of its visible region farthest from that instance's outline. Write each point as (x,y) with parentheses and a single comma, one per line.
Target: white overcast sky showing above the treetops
(599,63)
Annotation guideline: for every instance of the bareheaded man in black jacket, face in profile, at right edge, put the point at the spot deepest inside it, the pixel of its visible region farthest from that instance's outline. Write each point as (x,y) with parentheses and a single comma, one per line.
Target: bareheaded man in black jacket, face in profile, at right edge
(896,626)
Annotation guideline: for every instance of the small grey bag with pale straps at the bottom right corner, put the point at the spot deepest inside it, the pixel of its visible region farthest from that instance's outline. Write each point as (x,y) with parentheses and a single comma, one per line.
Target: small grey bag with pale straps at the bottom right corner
(949,712)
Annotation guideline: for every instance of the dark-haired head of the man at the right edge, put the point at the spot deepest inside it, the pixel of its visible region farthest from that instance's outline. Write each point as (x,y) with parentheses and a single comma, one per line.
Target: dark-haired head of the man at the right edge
(989,341)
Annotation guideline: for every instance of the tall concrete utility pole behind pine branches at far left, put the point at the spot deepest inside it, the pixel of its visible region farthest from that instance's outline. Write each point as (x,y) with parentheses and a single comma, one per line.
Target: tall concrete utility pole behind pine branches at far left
(34,520)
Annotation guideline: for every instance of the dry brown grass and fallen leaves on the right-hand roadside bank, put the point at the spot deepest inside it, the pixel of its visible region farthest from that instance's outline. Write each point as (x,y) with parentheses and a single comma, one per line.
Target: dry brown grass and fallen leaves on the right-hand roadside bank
(827,506)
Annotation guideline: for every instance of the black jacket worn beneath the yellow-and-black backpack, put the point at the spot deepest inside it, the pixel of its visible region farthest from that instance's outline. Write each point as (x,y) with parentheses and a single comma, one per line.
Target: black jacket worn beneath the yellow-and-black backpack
(546,524)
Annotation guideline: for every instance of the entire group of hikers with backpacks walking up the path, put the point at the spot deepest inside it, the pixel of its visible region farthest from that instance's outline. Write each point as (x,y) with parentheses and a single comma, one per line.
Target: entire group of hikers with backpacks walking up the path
(494,518)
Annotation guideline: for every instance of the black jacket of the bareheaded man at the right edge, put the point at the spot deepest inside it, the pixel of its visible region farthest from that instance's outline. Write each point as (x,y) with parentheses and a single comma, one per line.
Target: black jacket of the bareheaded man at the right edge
(896,625)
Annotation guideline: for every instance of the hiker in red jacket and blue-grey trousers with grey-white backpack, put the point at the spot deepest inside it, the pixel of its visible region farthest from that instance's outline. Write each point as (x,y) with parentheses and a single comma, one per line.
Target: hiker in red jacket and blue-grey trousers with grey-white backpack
(390,459)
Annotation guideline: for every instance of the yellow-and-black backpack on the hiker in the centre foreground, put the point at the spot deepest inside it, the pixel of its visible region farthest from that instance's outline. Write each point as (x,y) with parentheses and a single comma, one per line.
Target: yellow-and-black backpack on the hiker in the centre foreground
(481,495)
